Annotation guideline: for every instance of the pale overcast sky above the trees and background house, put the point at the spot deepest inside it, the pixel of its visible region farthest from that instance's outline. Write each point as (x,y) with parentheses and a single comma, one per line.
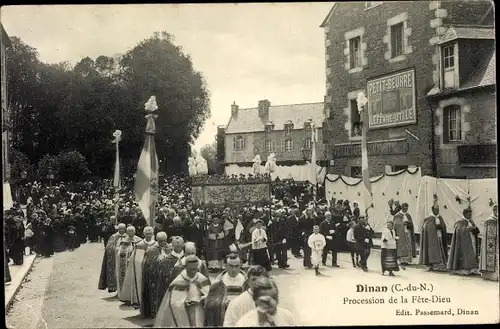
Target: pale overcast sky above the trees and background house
(247,52)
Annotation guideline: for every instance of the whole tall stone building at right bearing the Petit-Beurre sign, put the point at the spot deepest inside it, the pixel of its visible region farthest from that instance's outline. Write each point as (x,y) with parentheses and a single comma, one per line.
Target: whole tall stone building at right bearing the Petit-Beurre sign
(396,53)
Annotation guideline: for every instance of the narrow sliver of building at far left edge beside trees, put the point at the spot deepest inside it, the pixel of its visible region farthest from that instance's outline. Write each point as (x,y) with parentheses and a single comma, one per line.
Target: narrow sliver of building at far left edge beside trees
(4,43)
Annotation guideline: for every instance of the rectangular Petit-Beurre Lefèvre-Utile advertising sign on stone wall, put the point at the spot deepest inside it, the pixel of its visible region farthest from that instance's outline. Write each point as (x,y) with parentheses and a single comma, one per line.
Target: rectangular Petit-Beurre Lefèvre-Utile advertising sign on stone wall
(392,101)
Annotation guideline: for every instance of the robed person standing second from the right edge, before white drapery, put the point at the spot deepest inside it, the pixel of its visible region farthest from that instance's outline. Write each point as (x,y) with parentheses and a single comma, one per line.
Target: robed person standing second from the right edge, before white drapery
(464,249)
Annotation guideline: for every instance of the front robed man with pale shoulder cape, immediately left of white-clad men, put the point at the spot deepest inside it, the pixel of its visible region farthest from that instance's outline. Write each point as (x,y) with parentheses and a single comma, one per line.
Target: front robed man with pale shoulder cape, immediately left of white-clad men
(227,286)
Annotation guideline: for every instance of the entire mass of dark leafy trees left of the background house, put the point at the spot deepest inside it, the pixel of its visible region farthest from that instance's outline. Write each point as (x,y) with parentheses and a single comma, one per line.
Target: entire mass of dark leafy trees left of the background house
(58,108)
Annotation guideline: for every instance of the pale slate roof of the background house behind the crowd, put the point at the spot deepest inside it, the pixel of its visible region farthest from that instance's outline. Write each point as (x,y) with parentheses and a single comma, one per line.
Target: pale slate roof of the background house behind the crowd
(248,120)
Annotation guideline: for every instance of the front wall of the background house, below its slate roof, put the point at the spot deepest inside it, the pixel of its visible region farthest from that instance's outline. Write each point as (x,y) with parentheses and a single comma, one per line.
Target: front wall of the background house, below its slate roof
(256,144)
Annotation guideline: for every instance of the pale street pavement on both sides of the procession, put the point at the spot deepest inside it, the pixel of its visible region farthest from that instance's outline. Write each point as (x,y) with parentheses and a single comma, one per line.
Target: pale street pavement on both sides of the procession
(61,292)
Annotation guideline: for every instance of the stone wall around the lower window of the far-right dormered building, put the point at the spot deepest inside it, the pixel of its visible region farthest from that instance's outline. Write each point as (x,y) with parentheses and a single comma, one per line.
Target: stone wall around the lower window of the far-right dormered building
(478,127)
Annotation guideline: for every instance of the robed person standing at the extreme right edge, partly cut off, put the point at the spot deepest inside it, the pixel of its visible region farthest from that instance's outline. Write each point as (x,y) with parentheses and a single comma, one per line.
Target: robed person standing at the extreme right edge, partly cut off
(488,263)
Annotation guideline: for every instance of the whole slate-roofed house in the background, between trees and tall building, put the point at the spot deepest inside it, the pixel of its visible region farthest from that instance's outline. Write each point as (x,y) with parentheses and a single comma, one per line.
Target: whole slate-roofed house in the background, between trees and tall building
(284,130)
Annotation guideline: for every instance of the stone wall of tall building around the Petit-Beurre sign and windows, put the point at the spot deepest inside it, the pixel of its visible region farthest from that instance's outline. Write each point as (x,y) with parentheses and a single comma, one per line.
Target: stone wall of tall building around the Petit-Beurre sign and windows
(374,22)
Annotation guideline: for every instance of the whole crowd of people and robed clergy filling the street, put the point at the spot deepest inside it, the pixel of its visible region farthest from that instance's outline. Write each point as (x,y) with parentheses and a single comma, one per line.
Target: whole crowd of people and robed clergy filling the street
(166,269)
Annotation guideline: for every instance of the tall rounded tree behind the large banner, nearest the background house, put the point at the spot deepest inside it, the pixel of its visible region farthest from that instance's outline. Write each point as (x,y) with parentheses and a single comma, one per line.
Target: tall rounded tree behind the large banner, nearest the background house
(156,66)
